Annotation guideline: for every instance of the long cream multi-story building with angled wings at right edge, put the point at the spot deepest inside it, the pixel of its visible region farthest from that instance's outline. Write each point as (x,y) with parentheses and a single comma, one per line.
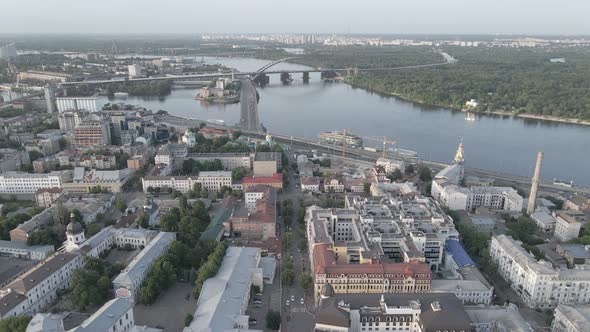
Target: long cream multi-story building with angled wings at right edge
(537,282)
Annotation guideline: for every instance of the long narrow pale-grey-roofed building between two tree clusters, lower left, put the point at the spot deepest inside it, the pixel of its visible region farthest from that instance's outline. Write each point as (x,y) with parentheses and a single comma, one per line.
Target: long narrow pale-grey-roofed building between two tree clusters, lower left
(133,275)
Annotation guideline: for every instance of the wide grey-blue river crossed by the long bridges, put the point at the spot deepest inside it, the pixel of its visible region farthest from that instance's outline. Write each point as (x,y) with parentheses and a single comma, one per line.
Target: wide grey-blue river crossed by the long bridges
(494,143)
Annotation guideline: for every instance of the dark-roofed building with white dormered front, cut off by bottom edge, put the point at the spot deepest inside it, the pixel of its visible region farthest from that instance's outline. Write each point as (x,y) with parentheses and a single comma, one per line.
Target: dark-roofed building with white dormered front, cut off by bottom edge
(390,312)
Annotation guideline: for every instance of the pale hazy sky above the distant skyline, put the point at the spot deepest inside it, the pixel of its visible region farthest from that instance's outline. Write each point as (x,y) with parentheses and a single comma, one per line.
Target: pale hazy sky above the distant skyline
(364,16)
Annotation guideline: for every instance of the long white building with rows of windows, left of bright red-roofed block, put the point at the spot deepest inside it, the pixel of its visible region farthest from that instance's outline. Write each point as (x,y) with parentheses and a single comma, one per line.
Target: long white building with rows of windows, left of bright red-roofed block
(213,181)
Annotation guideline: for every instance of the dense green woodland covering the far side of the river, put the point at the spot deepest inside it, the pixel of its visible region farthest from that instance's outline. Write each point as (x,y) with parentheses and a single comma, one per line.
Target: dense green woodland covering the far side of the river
(519,80)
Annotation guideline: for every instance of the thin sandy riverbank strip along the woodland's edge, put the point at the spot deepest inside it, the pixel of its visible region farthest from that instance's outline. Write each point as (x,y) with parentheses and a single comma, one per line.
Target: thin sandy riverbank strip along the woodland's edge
(498,112)
